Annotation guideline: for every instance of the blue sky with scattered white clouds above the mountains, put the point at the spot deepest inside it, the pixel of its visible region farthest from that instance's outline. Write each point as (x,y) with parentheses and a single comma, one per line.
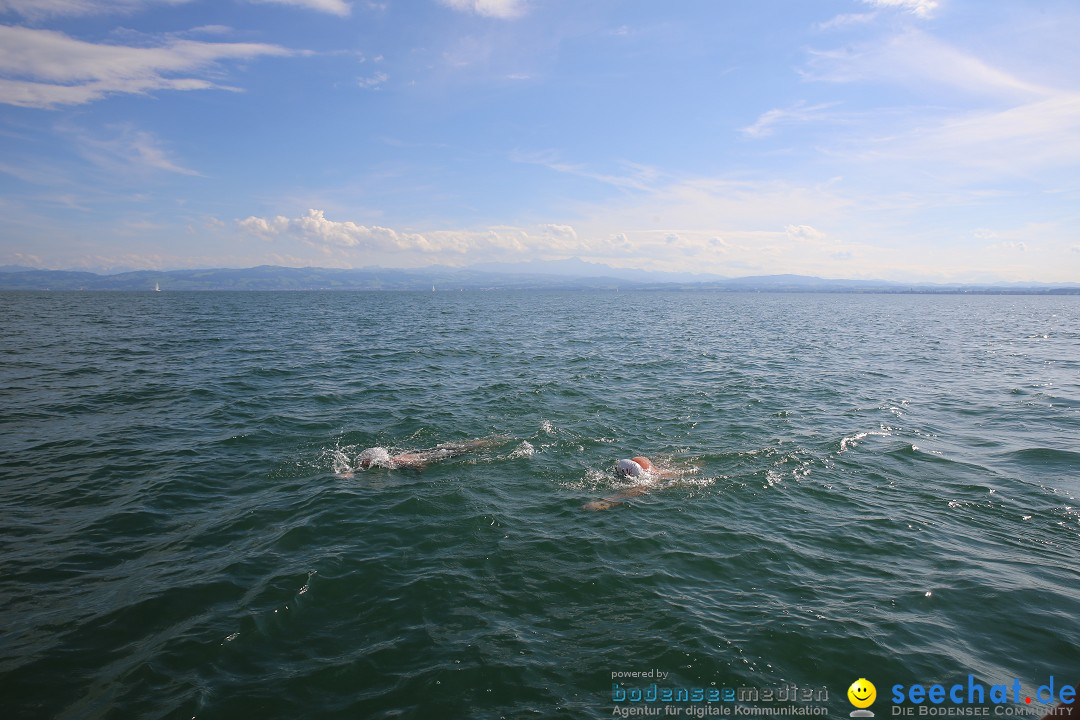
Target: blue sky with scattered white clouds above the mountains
(898,140)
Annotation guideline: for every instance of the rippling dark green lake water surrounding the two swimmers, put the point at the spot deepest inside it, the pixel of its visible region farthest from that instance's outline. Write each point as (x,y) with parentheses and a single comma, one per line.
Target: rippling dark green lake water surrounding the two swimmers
(872,486)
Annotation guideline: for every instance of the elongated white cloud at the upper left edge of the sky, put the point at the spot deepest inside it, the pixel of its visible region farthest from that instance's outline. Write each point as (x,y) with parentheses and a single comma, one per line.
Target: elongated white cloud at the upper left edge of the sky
(45,69)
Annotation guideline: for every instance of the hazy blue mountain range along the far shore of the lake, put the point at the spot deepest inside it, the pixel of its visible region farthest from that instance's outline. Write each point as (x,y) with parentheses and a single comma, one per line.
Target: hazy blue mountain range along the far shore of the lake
(561,275)
